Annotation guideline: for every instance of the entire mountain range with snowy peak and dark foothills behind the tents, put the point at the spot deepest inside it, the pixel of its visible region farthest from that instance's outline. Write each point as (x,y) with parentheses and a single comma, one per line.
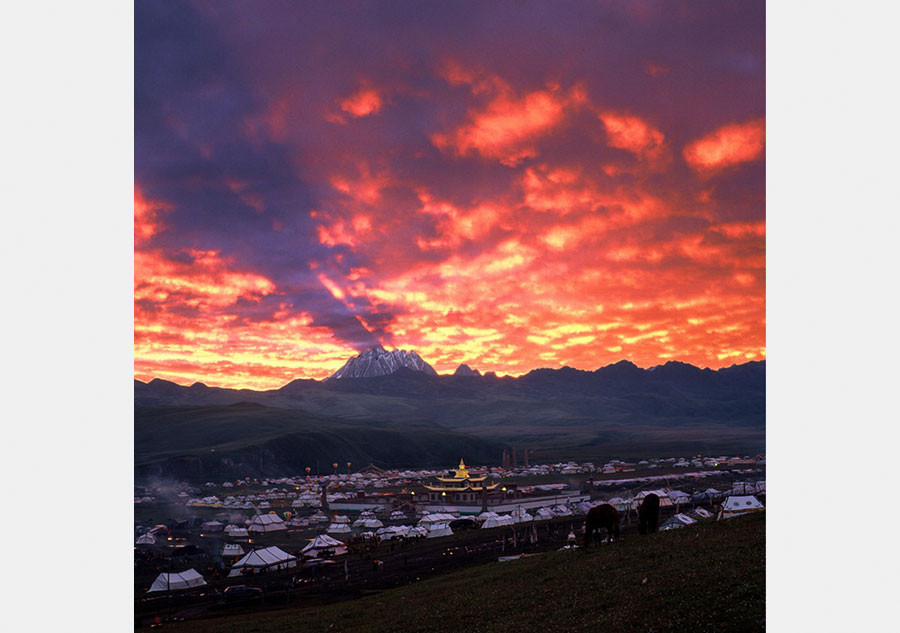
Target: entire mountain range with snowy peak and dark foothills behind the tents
(618,410)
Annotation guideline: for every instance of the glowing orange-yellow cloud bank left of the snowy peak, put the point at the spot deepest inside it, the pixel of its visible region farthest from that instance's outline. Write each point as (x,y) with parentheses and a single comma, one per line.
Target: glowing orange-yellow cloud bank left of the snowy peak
(188,326)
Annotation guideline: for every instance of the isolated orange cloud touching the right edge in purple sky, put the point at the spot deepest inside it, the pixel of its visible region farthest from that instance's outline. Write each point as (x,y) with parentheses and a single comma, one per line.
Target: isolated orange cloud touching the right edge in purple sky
(727,146)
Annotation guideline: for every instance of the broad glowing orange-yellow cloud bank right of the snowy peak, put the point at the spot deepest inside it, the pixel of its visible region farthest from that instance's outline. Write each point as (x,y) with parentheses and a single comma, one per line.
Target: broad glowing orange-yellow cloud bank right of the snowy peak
(530,301)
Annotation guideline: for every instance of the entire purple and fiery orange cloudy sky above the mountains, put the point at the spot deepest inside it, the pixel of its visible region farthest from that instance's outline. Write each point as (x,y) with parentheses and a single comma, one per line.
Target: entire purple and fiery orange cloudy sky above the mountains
(510,185)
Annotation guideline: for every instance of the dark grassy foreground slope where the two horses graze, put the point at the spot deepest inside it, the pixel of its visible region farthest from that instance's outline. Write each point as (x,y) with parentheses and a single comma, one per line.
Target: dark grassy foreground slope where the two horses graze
(706,578)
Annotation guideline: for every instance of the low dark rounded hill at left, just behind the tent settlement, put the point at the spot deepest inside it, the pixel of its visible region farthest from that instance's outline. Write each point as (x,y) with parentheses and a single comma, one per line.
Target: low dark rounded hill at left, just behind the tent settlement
(198,442)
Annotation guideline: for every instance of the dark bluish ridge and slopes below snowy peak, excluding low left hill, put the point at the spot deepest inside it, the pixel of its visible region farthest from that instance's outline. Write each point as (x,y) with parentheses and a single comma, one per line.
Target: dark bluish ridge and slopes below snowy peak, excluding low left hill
(615,410)
